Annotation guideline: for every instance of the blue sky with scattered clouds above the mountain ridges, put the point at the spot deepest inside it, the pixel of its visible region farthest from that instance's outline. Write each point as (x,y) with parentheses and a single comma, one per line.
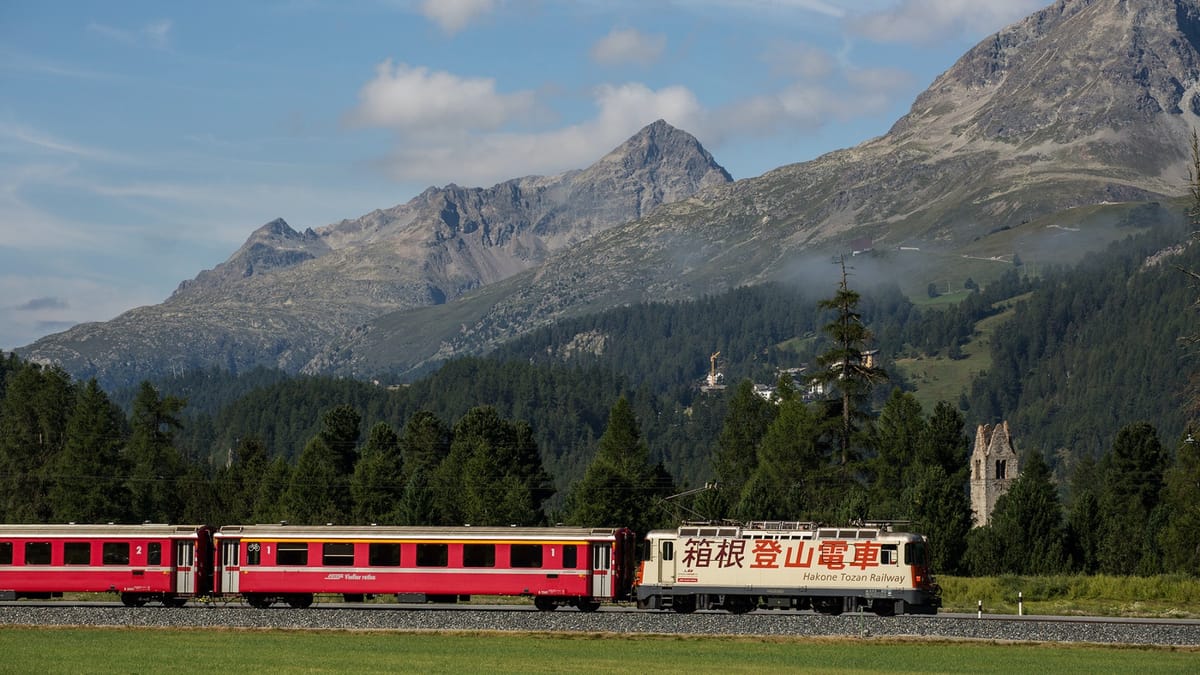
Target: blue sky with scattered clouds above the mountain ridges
(142,142)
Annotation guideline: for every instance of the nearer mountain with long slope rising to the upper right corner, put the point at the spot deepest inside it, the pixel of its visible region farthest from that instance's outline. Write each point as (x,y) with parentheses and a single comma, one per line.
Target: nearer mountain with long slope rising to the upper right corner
(1019,148)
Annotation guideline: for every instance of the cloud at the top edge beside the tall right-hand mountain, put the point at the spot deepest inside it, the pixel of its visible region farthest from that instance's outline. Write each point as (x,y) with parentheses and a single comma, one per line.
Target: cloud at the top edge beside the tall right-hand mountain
(927,22)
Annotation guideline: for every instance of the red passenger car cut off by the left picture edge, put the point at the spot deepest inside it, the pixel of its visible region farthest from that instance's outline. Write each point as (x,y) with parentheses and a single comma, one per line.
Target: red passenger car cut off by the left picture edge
(167,564)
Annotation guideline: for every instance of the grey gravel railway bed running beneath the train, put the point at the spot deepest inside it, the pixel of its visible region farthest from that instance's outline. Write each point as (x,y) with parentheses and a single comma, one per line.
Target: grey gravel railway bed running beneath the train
(619,620)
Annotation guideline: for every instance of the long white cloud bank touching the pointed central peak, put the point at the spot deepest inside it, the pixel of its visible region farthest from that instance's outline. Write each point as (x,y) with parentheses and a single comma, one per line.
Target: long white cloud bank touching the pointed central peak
(488,159)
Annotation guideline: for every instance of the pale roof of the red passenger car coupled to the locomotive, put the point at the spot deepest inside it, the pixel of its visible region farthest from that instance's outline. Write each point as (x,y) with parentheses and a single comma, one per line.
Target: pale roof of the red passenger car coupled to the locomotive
(284,531)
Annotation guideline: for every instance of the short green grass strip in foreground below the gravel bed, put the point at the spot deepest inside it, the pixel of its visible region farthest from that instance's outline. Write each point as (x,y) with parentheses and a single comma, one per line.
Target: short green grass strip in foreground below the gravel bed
(97,650)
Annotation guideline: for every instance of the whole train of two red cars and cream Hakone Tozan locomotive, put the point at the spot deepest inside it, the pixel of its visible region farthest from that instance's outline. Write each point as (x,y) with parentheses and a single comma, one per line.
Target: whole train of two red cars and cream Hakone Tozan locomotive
(734,568)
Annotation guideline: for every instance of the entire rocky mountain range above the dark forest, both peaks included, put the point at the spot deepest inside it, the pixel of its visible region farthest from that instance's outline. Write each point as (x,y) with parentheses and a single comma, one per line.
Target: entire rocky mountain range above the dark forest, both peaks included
(1019,150)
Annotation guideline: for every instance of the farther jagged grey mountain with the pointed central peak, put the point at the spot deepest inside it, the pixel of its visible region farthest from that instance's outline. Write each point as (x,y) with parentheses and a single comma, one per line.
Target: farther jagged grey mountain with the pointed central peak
(284,297)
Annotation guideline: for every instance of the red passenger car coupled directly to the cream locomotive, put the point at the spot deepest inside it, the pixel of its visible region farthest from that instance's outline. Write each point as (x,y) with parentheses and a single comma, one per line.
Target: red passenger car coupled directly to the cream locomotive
(556,566)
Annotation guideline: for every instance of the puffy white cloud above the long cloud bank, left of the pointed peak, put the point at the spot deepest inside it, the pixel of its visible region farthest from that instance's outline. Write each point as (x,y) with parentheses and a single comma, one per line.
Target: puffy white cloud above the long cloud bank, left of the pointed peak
(415,101)
